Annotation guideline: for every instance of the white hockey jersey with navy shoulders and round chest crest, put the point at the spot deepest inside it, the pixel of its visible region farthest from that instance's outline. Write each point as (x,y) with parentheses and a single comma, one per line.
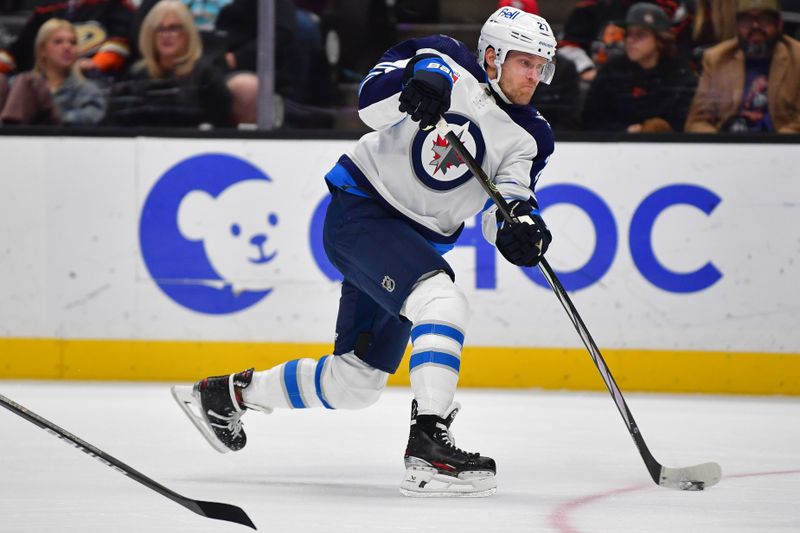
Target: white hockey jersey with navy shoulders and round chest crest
(415,173)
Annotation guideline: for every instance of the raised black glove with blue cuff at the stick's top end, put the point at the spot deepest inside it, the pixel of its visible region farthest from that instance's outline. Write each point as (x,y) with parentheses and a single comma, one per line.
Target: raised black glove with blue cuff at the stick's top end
(427,83)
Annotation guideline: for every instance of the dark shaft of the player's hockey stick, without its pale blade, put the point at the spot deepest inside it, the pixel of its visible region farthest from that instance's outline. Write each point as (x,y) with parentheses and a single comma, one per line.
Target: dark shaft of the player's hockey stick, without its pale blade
(653,467)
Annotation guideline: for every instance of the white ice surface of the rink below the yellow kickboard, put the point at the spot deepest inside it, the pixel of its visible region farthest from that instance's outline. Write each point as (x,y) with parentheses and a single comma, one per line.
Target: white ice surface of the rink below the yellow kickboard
(565,465)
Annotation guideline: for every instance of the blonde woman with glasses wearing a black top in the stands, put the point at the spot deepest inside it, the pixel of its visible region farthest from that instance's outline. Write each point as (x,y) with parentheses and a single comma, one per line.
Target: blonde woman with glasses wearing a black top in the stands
(173,84)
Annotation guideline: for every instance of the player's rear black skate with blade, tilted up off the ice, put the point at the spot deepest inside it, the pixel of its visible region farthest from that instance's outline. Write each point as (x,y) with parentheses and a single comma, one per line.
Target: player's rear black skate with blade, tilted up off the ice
(215,407)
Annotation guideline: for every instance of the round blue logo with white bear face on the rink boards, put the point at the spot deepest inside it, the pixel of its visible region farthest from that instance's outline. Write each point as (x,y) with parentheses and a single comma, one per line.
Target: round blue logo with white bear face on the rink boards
(208,234)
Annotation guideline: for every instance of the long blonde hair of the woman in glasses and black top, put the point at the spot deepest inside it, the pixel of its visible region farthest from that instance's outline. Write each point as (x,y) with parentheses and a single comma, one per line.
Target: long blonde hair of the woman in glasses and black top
(194,48)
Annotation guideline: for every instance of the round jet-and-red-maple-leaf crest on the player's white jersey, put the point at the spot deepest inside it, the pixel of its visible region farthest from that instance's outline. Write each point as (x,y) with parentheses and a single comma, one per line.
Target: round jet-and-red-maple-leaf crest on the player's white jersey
(436,164)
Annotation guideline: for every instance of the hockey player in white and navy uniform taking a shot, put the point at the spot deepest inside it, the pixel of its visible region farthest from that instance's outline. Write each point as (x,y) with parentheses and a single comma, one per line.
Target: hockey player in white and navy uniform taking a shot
(399,201)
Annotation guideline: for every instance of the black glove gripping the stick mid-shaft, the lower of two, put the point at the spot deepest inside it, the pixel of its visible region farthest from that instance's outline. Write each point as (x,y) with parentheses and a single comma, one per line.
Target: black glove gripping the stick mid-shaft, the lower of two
(523,243)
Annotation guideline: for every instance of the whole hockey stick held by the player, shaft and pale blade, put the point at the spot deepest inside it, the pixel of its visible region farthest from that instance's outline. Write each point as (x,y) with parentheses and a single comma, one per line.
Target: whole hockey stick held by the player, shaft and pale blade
(695,477)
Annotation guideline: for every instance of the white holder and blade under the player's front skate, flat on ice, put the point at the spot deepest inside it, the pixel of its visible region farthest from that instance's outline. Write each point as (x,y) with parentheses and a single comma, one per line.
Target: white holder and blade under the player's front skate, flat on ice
(429,483)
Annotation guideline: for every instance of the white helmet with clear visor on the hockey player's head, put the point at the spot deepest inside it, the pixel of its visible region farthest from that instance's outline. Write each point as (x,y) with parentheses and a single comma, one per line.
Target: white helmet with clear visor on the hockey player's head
(510,28)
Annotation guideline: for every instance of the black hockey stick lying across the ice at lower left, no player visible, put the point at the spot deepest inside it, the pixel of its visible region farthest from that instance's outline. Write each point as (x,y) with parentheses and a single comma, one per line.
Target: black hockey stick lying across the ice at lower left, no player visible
(218,511)
